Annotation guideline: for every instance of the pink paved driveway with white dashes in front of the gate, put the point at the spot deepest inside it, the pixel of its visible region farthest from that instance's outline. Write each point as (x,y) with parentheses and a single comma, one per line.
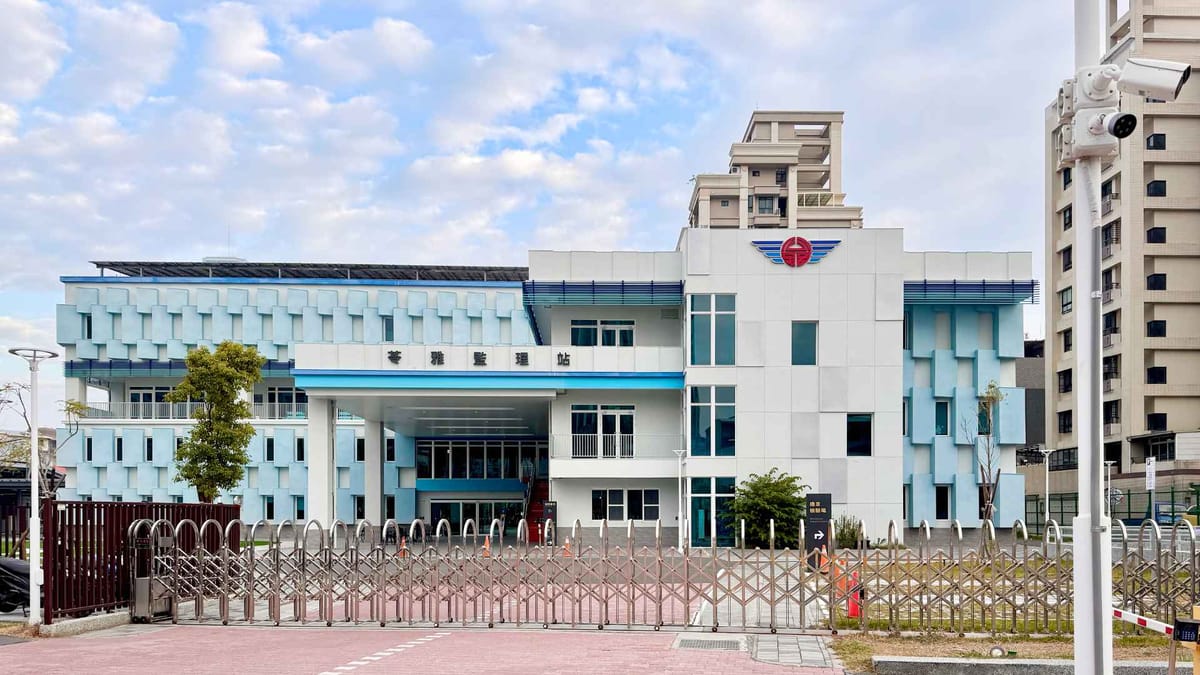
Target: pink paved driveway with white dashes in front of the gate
(344,652)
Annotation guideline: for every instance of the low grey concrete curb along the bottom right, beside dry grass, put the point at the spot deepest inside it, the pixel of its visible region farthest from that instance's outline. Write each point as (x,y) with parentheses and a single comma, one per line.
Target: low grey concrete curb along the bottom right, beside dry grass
(932,666)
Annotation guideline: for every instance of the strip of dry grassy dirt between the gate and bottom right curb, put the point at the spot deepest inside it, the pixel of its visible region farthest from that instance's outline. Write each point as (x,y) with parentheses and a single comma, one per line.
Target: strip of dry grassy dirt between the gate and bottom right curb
(856,652)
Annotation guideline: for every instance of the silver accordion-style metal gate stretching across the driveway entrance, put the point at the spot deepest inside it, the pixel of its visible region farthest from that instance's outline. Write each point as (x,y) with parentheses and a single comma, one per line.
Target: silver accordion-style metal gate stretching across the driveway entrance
(357,575)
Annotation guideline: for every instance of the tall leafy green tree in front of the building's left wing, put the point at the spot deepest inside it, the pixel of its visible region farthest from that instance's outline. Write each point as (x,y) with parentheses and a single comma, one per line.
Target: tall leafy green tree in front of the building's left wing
(213,457)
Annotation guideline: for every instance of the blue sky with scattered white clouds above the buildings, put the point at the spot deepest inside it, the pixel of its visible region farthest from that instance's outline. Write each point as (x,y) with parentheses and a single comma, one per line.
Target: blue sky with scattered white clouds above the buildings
(471,132)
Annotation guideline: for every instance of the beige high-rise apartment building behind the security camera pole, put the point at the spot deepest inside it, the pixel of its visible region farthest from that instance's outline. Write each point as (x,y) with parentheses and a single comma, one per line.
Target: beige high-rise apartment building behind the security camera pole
(1150,270)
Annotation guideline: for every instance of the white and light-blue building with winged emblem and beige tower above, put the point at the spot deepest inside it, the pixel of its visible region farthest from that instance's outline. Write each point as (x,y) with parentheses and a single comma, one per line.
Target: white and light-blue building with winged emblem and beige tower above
(619,385)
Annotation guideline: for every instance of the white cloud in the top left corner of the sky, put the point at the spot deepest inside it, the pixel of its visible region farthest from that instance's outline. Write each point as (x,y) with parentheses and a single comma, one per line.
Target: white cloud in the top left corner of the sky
(34,47)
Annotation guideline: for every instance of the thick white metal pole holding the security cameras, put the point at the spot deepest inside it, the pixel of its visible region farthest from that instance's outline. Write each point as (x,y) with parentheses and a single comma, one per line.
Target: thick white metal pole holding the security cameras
(1093,576)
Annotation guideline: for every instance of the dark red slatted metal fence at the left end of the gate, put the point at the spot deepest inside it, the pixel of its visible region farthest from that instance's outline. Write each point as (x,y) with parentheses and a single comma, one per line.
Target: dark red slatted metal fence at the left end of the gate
(87,554)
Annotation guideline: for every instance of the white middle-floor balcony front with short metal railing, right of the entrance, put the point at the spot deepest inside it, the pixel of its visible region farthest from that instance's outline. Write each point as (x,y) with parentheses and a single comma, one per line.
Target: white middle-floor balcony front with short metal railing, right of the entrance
(615,456)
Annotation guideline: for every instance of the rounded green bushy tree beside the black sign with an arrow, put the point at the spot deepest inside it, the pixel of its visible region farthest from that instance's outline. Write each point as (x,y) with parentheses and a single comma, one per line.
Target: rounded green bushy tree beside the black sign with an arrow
(761,499)
